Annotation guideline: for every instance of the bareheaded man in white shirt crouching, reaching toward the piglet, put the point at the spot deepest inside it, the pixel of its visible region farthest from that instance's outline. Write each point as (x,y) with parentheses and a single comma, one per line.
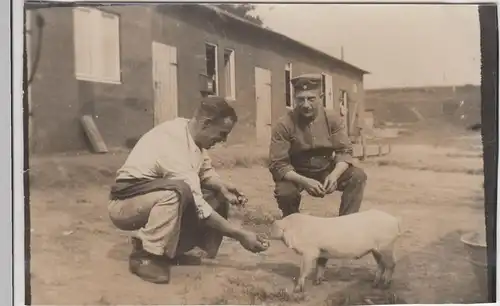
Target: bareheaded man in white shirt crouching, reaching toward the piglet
(168,191)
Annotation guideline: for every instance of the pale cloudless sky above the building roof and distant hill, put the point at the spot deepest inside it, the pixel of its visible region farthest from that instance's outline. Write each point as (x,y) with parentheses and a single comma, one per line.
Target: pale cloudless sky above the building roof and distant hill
(400,45)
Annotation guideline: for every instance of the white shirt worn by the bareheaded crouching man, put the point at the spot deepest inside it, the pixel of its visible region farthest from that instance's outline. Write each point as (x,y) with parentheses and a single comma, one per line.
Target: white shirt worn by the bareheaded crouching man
(169,151)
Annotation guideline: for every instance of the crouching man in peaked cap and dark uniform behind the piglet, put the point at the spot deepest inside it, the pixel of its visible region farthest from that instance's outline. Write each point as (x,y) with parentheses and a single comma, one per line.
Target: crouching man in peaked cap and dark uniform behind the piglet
(310,150)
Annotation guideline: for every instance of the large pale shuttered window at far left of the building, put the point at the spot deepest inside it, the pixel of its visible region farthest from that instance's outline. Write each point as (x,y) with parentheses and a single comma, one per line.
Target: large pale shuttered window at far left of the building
(97,45)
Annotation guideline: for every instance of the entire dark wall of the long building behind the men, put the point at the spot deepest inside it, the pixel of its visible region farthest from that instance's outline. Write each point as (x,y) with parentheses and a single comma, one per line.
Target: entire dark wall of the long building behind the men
(125,111)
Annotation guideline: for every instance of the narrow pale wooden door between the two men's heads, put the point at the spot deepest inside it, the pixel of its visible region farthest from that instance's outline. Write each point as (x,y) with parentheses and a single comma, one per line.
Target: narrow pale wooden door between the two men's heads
(264,104)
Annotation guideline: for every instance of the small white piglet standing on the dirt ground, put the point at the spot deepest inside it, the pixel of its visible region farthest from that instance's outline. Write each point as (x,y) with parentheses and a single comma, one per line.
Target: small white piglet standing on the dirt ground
(353,236)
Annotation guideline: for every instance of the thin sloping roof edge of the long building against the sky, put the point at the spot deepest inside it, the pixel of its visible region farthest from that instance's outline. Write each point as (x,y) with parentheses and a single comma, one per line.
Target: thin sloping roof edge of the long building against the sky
(232,16)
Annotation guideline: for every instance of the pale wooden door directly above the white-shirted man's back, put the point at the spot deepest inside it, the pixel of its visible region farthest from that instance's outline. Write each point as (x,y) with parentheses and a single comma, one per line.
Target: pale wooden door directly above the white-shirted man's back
(165,82)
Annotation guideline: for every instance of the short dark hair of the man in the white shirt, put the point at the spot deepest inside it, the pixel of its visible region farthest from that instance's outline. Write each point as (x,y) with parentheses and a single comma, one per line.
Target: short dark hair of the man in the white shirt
(215,109)
